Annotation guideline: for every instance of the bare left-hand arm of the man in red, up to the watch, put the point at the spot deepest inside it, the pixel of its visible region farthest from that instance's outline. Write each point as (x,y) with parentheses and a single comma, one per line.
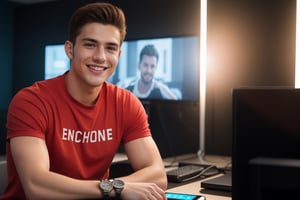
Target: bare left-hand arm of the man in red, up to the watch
(30,156)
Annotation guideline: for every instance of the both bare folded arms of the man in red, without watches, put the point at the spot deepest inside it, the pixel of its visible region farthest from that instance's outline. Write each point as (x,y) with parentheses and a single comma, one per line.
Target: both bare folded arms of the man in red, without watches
(31,159)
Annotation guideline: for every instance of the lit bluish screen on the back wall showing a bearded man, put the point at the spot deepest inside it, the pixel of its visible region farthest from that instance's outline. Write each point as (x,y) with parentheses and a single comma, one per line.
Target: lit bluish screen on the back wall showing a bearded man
(172,75)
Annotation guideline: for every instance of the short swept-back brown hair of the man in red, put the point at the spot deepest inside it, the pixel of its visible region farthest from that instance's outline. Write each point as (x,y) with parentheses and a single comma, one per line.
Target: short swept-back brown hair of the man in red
(104,13)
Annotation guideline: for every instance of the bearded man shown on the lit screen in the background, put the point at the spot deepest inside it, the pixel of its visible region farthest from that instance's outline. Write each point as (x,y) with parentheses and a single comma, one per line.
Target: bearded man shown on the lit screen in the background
(146,86)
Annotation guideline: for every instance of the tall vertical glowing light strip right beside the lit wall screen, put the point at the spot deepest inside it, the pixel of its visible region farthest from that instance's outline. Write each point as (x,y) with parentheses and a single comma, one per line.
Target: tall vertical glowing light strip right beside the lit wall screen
(202,88)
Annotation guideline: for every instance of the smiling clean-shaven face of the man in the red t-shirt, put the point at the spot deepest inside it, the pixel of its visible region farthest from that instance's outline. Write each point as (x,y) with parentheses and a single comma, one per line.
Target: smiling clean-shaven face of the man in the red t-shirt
(95,54)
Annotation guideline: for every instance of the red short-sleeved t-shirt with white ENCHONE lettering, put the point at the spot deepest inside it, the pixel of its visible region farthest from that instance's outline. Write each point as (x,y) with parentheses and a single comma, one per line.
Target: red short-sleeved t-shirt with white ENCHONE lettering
(81,140)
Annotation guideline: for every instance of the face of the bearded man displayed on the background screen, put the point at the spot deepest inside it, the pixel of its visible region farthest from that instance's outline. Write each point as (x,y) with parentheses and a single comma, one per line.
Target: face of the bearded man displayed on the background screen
(147,67)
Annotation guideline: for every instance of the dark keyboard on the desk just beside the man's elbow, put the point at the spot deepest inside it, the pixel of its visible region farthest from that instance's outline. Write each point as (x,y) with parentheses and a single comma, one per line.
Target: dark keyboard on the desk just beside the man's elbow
(185,173)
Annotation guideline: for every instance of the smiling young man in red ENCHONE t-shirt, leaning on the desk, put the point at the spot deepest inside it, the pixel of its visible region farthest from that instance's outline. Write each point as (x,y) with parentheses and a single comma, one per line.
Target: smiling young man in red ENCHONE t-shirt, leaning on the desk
(64,132)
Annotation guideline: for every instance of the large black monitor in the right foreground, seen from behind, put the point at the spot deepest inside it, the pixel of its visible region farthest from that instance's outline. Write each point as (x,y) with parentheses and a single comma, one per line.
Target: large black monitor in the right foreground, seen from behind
(266,141)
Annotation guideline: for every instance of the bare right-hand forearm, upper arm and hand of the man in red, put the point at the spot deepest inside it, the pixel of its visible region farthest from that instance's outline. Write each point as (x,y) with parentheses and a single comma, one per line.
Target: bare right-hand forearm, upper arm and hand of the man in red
(149,177)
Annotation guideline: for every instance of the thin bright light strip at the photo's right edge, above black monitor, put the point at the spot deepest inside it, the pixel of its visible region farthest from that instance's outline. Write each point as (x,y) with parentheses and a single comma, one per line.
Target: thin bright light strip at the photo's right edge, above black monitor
(297,55)
